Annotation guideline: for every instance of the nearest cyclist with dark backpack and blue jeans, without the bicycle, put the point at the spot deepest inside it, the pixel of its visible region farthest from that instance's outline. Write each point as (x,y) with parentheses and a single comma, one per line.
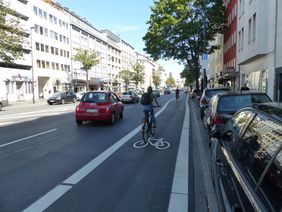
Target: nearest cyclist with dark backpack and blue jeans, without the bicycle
(149,108)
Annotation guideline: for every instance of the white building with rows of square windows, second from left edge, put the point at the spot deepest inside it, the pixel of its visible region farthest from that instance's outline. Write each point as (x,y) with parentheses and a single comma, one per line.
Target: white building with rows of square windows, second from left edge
(51,56)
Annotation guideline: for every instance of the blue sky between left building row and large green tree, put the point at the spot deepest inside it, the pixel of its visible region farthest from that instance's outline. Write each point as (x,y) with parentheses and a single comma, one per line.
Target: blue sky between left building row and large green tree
(126,18)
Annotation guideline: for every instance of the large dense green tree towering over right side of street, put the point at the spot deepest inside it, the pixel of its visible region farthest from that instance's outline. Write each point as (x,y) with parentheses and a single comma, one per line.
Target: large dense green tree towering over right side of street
(182,30)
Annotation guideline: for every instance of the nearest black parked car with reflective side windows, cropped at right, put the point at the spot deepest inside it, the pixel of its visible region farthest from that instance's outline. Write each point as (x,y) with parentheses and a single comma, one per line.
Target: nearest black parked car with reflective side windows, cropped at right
(246,160)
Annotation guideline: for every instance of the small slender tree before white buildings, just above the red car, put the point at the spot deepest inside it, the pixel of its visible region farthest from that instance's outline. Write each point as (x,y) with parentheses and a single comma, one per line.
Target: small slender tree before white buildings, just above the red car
(88,59)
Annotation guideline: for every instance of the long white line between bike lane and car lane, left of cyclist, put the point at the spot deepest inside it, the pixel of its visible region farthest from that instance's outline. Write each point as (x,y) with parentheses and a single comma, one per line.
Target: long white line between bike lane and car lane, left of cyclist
(45,201)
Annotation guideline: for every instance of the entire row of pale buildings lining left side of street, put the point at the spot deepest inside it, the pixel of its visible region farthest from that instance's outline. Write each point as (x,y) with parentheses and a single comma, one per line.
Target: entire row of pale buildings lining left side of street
(54,33)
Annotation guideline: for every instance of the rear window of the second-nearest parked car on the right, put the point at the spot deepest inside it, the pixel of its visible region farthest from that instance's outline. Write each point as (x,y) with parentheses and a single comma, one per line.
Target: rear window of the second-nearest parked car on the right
(234,103)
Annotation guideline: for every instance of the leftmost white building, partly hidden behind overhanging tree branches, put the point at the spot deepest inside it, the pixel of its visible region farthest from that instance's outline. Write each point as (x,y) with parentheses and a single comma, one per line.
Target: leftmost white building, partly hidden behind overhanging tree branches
(16,79)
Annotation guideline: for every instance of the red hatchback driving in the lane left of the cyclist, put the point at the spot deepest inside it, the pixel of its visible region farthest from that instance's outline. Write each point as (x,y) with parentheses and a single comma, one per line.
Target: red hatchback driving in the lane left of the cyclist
(99,106)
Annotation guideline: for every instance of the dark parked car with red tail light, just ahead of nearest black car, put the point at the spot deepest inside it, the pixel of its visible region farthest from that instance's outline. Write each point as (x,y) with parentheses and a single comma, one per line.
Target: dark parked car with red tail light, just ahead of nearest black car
(223,106)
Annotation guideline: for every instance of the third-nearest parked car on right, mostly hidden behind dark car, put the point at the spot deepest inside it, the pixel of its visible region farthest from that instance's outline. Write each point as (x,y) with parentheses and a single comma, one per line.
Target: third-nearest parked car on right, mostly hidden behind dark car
(208,93)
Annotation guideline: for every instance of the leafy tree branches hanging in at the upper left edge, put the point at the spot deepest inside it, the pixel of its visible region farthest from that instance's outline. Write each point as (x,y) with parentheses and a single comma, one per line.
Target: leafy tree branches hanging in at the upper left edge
(11,35)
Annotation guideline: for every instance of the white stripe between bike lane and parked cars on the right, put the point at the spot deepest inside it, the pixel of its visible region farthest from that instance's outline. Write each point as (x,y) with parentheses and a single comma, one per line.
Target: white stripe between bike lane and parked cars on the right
(179,192)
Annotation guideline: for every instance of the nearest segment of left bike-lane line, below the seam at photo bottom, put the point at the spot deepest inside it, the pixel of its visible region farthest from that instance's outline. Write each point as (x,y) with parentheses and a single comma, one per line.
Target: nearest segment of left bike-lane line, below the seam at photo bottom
(48,199)
